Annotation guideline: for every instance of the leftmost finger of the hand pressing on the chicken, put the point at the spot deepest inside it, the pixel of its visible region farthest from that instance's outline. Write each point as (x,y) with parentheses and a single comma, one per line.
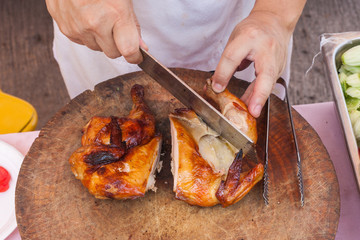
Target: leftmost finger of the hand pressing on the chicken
(230,60)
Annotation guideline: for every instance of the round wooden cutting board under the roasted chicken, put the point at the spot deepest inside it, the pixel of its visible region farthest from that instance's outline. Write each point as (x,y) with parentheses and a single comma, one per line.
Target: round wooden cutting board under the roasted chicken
(52,204)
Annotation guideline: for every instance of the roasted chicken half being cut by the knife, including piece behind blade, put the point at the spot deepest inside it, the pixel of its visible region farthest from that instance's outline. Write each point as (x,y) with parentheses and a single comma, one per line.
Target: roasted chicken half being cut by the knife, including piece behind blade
(207,169)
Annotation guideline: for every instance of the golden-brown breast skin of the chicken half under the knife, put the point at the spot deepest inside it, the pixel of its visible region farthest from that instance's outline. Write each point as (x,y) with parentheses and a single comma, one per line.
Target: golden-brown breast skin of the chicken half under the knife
(195,180)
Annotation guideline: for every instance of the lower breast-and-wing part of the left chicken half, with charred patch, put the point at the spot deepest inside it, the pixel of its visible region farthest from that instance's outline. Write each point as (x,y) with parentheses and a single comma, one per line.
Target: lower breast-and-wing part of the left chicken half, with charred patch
(109,173)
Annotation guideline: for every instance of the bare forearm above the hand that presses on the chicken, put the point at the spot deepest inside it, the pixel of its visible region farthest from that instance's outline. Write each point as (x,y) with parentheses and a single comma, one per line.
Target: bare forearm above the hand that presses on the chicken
(287,12)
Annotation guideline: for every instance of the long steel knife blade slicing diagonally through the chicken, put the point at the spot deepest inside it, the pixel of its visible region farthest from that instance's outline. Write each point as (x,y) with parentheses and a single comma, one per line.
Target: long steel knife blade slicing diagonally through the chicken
(193,100)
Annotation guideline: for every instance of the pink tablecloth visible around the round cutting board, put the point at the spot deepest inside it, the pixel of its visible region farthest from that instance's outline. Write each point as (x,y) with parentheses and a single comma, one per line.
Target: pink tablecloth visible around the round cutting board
(324,119)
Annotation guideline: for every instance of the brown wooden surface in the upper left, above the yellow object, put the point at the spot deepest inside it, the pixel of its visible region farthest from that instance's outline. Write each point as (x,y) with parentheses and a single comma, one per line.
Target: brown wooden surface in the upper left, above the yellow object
(28,69)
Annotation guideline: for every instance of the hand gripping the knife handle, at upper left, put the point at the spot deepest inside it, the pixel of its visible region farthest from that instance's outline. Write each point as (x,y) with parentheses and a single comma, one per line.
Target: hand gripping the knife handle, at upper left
(102,25)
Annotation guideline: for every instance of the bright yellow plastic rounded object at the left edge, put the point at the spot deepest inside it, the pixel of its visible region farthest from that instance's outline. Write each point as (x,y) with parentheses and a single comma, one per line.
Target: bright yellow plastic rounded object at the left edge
(16,115)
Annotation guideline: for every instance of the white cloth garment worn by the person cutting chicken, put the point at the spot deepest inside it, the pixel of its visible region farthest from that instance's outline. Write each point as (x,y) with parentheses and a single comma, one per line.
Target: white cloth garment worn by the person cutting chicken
(188,34)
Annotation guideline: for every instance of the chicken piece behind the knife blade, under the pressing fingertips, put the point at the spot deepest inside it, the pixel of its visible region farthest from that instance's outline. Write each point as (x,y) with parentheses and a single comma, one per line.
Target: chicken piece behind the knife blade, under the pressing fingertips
(233,109)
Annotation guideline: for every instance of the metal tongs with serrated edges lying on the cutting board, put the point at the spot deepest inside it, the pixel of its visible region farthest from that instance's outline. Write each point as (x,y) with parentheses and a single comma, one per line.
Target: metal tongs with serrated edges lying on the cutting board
(299,172)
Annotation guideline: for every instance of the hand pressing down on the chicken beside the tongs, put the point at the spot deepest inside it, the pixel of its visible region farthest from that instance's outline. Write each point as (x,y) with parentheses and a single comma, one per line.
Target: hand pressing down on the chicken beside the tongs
(261,38)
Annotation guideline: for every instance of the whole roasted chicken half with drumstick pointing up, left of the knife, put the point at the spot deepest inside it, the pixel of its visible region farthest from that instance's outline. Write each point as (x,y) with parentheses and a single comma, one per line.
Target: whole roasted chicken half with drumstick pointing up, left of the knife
(119,156)
